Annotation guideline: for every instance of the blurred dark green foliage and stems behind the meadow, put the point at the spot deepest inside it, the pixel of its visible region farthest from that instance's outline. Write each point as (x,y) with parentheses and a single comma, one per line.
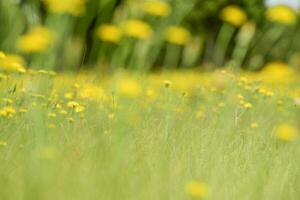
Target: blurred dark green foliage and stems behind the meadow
(214,42)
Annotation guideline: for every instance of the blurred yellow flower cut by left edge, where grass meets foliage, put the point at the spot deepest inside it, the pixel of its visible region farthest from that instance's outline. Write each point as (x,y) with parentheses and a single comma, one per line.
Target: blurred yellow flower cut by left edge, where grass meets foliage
(12,63)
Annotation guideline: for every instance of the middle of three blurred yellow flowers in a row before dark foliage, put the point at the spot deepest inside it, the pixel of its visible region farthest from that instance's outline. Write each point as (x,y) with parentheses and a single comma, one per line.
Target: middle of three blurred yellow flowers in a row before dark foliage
(137,29)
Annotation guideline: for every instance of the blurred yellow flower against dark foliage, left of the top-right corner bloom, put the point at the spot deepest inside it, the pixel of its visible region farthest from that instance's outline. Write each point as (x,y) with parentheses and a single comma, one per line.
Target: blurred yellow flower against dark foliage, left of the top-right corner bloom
(234,15)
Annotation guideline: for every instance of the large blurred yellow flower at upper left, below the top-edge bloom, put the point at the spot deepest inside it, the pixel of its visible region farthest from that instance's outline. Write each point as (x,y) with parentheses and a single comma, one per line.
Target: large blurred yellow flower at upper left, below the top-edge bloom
(38,39)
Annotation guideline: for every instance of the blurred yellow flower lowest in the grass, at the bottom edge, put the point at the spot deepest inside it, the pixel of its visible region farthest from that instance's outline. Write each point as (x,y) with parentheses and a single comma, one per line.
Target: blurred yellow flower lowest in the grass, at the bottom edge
(197,189)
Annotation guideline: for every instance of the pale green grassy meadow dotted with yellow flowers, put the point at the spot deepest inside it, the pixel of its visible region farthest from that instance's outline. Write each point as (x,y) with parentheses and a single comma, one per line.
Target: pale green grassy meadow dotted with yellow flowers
(70,137)
